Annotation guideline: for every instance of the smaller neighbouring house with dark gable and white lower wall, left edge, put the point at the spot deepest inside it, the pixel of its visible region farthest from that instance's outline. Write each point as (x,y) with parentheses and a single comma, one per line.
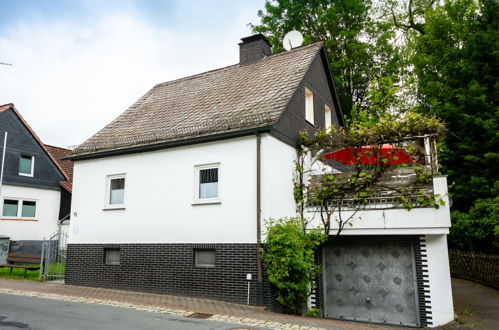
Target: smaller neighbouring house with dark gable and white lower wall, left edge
(35,190)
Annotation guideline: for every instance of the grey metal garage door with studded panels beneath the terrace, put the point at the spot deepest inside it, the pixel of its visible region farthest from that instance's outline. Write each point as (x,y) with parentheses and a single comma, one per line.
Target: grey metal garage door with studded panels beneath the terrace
(371,280)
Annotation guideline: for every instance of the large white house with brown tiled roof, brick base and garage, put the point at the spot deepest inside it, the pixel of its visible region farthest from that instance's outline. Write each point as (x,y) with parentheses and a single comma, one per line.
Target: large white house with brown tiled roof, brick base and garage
(170,197)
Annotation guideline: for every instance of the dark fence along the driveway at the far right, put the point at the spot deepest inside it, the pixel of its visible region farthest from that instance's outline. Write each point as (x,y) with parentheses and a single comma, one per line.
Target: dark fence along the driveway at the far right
(475,266)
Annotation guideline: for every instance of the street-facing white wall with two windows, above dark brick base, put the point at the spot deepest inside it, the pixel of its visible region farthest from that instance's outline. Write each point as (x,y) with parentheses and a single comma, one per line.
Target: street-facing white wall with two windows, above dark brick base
(160,200)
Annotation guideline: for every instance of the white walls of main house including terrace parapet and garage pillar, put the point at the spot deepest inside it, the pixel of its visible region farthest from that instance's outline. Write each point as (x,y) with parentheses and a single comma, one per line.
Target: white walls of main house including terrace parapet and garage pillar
(161,204)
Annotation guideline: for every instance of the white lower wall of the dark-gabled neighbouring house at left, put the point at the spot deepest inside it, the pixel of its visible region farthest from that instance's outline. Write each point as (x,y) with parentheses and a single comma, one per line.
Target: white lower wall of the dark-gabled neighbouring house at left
(43,225)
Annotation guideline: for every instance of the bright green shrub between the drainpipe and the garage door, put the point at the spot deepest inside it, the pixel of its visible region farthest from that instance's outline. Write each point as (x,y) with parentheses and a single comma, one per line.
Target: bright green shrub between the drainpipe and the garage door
(289,261)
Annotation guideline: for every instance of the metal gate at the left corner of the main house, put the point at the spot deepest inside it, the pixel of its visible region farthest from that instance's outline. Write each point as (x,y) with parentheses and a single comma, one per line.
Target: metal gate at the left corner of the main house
(53,264)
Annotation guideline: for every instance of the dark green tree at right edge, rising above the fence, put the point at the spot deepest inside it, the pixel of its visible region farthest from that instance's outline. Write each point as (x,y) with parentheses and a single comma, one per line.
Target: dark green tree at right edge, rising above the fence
(455,58)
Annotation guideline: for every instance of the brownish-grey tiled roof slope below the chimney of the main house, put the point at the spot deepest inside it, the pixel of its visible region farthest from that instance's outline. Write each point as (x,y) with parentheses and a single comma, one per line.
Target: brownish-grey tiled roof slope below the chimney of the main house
(220,101)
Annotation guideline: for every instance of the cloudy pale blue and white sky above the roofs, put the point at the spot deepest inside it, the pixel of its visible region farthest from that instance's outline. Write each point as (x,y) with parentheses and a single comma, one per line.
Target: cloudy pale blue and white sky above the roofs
(77,64)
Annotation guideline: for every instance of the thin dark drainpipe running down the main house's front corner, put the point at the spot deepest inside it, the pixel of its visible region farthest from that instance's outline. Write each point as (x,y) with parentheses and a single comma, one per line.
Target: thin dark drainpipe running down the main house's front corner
(258,220)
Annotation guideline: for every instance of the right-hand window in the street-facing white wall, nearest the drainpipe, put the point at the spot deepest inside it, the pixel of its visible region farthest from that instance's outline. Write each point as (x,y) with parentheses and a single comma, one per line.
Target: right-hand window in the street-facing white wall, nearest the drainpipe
(207,183)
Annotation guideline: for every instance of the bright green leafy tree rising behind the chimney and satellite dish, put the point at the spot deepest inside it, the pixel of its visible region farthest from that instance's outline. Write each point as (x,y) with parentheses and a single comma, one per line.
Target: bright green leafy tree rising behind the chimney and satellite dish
(360,49)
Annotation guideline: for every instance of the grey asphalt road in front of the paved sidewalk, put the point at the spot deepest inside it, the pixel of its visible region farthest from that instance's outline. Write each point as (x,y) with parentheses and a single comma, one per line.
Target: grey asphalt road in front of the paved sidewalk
(20,312)
